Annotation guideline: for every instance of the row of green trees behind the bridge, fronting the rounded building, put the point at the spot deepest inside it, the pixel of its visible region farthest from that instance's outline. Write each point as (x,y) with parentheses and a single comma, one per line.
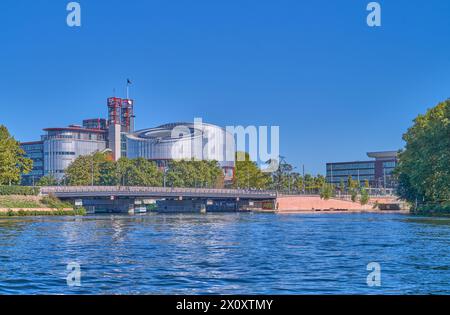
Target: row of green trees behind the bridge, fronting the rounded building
(100,169)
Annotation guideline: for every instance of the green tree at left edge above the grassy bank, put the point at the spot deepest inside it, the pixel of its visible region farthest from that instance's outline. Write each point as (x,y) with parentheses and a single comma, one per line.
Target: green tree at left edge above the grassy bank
(13,162)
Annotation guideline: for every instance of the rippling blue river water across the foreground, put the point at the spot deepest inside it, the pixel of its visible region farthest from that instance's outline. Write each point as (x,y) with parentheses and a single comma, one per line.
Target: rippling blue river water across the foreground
(225,254)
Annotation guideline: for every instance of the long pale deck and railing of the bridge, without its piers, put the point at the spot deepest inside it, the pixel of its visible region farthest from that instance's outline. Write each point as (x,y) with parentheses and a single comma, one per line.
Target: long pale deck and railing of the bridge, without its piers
(155,192)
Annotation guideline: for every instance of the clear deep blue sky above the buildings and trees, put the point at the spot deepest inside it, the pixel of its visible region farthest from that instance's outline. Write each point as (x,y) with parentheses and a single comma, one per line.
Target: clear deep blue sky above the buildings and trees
(336,87)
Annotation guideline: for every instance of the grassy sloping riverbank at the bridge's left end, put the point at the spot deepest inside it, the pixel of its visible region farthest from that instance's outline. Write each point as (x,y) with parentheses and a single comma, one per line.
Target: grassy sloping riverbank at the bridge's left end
(19,205)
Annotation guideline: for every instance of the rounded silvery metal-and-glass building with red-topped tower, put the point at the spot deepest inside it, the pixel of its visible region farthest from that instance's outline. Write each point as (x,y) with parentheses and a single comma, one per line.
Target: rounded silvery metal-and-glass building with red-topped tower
(59,147)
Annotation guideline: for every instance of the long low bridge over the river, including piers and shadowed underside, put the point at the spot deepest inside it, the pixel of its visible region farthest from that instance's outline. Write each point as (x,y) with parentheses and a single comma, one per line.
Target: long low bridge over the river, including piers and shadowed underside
(127,199)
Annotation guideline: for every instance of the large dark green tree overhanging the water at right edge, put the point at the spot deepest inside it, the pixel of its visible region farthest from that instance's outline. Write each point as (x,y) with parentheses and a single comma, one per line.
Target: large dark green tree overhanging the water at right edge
(423,171)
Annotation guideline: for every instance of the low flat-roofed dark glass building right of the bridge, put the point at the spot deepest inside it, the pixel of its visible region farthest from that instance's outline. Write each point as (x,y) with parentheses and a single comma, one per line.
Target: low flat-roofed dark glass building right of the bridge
(377,171)
